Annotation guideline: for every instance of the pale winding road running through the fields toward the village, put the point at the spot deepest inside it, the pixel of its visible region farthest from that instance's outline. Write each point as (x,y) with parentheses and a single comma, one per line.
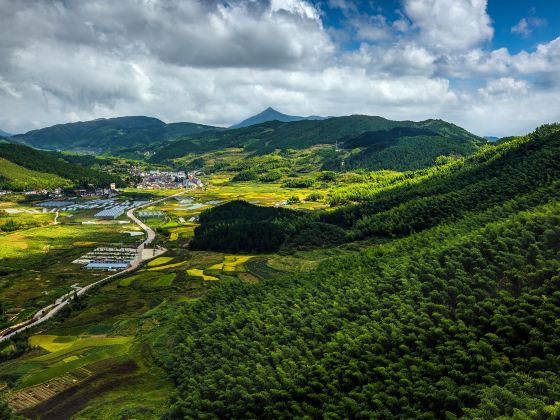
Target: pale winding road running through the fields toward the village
(51,310)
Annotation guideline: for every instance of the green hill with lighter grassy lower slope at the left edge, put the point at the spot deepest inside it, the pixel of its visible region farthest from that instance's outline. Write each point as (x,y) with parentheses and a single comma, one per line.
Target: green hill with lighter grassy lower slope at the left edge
(22,168)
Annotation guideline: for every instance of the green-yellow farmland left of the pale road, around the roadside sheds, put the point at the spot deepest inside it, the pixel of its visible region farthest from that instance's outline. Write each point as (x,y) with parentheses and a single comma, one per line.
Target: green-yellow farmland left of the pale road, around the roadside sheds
(36,264)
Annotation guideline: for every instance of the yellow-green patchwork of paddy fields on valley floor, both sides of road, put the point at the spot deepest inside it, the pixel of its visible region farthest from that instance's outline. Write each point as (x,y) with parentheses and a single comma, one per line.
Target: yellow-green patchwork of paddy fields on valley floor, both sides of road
(101,358)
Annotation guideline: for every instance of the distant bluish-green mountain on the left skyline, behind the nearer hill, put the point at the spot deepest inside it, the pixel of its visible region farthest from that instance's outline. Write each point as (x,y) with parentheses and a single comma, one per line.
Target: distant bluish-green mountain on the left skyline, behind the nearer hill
(107,135)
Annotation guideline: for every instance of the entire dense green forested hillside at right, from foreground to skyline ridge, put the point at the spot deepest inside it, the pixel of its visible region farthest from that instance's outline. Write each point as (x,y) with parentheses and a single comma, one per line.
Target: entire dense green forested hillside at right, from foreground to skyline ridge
(456,320)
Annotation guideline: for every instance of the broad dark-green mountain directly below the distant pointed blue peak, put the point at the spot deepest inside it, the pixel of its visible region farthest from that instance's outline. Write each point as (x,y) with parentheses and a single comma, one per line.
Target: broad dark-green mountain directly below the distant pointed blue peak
(375,142)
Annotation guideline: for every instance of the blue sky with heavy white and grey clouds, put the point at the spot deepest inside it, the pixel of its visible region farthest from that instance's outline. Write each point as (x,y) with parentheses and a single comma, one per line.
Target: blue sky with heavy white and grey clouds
(492,67)
